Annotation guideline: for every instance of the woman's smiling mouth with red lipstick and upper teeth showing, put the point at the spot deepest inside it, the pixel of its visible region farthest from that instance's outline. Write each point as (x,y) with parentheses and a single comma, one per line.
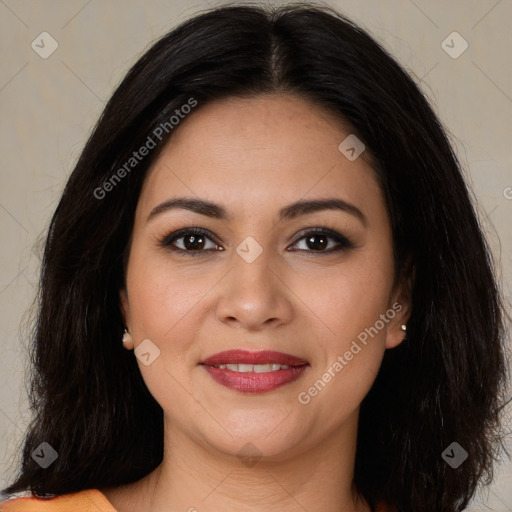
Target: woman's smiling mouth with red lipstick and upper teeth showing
(254,372)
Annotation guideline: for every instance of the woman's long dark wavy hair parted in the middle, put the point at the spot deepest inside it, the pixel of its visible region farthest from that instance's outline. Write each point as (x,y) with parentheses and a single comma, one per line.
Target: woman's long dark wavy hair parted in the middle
(445,383)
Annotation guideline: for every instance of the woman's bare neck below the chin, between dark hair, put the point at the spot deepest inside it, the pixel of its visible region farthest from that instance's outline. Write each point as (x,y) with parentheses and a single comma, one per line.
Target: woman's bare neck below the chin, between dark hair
(194,477)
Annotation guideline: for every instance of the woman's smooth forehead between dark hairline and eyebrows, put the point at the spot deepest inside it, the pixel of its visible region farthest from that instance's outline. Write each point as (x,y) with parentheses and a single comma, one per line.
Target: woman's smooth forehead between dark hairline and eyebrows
(276,147)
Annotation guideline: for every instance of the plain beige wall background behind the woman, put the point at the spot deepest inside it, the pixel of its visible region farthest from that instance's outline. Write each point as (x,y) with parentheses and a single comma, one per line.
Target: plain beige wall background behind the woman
(48,107)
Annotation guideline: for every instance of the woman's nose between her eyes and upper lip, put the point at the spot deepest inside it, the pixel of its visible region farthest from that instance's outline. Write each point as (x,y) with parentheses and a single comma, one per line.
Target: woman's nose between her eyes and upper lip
(254,296)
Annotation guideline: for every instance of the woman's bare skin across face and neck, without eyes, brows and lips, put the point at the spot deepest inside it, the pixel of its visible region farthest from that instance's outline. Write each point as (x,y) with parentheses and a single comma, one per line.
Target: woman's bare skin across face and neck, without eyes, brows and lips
(255,156)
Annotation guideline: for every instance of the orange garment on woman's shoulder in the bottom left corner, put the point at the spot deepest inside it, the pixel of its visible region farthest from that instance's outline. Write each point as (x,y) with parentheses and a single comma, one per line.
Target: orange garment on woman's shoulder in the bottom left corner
(89,500)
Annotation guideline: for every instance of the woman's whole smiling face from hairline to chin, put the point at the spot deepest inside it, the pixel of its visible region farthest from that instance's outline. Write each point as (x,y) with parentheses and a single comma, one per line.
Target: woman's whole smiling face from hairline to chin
(257,279)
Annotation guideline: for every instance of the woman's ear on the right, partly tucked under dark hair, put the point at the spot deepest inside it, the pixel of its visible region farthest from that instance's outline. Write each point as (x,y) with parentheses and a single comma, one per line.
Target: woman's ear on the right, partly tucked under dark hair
(401,303)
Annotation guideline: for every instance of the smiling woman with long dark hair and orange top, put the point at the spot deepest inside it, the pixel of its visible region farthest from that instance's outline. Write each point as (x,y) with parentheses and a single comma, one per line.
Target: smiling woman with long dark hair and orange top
(270,217)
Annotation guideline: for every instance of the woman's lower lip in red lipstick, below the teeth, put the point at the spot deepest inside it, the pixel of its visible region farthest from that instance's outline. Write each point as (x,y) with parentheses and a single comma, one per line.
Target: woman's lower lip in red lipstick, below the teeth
(252,382)
